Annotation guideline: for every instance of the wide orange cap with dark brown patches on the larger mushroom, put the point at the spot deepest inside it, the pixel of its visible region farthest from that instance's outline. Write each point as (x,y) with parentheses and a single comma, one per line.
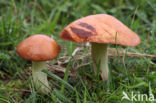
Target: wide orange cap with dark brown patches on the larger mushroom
(100,28)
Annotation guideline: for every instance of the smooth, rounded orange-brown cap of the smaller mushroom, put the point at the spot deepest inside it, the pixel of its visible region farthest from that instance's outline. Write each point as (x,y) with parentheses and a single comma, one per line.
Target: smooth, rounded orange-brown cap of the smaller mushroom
(38,48)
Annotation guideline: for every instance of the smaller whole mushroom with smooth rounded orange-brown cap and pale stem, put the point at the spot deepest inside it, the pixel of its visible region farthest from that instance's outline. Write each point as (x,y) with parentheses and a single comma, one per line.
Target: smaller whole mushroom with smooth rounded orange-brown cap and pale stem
(39,48)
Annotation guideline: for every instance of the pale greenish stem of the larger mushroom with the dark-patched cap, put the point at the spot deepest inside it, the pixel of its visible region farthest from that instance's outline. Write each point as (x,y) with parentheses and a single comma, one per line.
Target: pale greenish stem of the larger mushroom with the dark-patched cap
(100,59)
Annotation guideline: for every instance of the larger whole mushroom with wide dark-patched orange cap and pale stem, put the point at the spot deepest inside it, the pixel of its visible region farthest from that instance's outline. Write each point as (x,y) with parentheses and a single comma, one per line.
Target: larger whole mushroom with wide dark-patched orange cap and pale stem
(100,30)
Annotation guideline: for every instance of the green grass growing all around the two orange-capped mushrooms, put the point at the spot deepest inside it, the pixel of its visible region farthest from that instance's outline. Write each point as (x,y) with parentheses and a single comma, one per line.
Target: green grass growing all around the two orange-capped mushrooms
(22,18)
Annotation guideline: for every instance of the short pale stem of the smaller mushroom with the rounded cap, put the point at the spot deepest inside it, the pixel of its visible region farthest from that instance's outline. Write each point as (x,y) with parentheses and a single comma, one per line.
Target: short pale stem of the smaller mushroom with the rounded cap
(39,77)
